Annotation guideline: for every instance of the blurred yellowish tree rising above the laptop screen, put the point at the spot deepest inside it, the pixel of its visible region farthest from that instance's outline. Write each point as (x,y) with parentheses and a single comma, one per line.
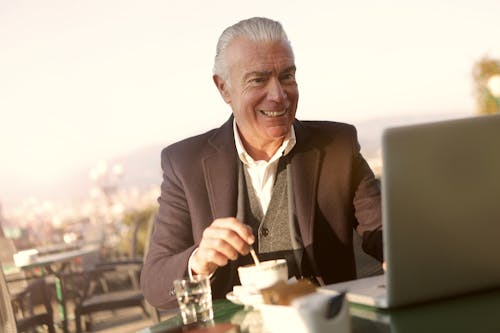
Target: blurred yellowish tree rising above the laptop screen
(482,71)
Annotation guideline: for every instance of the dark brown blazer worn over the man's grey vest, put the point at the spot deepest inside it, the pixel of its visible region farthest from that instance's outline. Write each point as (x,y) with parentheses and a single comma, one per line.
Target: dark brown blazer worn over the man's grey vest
(335,193)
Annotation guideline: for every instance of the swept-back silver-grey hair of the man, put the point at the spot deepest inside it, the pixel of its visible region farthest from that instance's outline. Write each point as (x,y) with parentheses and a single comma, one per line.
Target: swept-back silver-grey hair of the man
(254,29)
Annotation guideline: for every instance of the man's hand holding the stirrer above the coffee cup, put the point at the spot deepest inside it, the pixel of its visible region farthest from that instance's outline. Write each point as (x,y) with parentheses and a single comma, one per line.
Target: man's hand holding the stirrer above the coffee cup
(225,239)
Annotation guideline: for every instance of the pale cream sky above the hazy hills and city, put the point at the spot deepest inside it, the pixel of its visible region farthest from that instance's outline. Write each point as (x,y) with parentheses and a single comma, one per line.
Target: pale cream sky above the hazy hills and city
(86,80)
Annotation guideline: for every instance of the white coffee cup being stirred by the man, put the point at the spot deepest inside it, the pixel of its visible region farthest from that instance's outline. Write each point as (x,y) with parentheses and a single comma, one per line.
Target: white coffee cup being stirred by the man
(263,275)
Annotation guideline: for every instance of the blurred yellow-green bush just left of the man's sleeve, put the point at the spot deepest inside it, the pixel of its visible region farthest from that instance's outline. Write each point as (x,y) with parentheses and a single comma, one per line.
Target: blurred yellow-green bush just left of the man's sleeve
(137,221)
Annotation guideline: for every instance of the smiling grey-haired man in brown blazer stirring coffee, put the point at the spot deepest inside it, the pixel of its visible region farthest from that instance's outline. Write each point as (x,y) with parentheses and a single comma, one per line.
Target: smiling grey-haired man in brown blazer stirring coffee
(288,188)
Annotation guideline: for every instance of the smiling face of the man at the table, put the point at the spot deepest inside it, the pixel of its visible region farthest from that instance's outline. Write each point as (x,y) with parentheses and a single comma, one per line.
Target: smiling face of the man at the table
(263,93)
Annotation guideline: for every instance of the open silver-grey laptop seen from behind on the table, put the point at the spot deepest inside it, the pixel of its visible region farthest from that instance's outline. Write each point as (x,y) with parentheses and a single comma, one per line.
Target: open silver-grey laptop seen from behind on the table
(440,213)
